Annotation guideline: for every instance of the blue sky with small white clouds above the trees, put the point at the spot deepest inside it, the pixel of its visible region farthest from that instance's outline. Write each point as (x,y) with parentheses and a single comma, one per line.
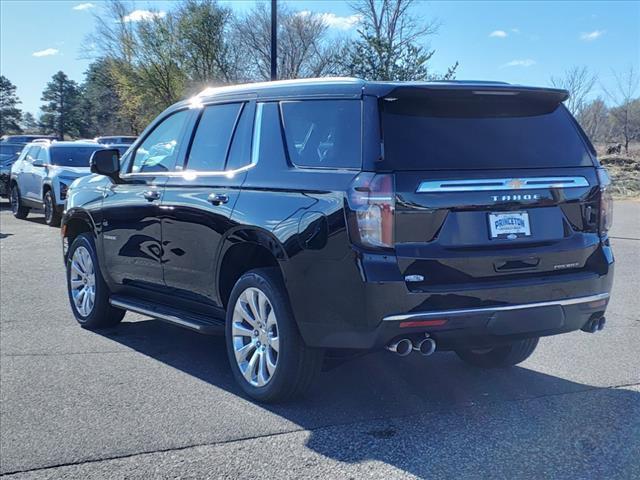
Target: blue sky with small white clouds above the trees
(520,42)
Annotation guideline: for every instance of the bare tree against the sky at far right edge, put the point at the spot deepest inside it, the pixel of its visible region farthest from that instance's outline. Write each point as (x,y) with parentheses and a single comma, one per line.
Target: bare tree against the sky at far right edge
(622,95)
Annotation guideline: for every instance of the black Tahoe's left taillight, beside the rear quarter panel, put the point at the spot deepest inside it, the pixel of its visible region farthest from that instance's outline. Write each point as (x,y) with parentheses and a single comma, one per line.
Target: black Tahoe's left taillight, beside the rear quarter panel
(372,202)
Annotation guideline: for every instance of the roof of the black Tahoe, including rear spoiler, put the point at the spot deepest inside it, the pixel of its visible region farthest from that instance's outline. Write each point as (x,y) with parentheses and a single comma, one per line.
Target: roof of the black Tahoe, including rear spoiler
(351,87)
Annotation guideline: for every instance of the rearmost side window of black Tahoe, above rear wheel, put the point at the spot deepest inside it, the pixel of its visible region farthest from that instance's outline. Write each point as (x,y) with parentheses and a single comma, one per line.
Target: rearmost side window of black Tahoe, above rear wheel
(323,133)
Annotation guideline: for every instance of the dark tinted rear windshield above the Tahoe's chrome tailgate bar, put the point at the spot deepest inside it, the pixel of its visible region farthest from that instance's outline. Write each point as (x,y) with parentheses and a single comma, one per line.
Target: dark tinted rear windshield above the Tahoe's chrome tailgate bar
(483,136)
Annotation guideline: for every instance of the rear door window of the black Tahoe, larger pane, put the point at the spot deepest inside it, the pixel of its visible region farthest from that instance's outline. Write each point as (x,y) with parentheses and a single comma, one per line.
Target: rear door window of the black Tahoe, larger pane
(210,144)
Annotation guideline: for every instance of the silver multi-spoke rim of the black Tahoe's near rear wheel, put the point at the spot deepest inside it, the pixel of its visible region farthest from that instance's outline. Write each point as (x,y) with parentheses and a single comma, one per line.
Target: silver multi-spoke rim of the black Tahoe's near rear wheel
(255,337)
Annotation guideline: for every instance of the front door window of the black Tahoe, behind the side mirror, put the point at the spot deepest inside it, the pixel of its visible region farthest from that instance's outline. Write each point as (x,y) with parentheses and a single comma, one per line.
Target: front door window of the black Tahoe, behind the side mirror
(159,151)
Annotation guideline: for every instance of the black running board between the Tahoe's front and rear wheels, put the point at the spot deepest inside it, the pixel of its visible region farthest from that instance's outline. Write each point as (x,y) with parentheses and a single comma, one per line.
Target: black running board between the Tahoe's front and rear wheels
(193,321)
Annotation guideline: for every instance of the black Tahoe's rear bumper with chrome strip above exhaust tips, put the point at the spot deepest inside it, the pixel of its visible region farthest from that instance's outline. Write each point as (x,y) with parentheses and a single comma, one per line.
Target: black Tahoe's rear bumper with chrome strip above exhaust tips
(476,316)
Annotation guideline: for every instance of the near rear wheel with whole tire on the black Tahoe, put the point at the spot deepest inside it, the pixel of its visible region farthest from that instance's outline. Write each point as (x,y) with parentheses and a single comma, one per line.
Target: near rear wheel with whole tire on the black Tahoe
(288,370)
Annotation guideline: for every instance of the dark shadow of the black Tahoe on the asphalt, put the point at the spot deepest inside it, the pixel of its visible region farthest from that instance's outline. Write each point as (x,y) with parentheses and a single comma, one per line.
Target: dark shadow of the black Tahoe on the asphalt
(433,416)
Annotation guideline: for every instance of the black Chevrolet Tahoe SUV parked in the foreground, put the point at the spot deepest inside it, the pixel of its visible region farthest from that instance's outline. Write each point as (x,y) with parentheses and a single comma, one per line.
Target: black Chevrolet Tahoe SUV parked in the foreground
(306,216)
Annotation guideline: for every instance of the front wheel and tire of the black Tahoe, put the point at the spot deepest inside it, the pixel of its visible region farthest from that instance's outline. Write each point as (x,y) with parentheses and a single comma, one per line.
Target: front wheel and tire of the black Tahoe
(94,314)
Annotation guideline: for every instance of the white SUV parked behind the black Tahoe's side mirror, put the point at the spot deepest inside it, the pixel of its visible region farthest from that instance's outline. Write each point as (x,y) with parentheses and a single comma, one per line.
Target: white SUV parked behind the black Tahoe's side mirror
(43,172)
